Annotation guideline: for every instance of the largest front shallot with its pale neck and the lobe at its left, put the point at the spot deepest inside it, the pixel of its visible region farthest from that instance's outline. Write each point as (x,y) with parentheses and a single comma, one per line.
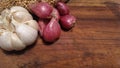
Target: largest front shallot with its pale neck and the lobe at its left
(50,30)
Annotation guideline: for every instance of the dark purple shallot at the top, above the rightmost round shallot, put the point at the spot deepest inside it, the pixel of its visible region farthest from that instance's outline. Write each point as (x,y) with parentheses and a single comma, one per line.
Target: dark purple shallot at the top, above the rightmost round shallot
(62,8)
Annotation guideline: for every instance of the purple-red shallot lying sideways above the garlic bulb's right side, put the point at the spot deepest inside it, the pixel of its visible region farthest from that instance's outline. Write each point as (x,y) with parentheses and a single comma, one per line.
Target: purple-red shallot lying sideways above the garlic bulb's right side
(42,9)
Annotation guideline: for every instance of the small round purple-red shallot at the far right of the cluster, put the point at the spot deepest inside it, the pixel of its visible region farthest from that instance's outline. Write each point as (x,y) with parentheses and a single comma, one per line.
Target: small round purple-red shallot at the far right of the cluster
(67,21)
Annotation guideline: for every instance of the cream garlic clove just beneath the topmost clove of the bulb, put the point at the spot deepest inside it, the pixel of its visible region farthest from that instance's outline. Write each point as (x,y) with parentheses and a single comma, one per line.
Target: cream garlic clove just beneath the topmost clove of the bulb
(22,16)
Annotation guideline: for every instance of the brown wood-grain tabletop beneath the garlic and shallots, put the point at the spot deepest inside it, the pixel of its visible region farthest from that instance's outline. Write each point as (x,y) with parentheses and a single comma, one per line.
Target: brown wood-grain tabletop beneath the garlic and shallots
(94,42)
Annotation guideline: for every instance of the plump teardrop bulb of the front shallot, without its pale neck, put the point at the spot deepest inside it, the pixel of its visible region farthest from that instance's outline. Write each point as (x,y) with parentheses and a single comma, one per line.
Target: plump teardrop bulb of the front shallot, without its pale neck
(52,31)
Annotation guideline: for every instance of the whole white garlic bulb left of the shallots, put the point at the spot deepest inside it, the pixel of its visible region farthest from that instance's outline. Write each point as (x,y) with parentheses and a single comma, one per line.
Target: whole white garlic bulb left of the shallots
(17,29)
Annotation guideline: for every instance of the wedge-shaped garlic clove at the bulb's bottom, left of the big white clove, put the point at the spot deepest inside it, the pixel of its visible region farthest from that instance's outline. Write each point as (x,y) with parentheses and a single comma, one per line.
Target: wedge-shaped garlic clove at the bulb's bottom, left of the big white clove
(16,42)
